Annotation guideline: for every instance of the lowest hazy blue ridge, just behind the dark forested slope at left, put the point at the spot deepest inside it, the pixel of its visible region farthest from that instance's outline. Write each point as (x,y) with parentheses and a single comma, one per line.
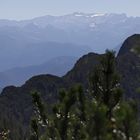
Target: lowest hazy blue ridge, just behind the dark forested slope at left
(56,66)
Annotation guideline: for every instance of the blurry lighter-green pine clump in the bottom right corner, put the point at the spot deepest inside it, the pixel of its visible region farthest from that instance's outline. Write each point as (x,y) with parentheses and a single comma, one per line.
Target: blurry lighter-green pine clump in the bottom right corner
(127,121)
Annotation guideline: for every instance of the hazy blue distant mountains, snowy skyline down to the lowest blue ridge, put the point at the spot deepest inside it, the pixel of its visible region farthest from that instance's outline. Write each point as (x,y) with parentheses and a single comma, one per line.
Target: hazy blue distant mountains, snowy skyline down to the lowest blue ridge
(35,41)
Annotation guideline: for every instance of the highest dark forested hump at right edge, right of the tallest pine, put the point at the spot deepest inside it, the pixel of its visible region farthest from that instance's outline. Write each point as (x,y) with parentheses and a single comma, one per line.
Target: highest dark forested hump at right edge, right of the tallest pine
(128,62)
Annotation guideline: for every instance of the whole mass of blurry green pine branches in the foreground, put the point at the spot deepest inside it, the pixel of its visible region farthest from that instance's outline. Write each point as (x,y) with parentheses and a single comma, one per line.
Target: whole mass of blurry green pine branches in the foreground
(98,113)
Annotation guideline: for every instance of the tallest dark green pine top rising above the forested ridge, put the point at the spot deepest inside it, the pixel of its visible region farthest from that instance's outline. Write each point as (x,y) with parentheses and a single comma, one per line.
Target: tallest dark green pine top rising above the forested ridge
(105,82)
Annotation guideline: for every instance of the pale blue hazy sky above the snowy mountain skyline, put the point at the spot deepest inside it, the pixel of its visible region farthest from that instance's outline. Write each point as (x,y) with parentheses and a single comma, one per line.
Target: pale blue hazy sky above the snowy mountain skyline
(25,9)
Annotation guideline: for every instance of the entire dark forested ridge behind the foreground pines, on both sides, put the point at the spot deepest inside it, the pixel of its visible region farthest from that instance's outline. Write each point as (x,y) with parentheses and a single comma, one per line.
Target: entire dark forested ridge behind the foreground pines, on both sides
(16,102)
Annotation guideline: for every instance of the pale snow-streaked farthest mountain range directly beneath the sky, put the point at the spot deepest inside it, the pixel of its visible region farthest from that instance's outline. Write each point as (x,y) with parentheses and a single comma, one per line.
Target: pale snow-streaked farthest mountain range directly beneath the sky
(99,31)
